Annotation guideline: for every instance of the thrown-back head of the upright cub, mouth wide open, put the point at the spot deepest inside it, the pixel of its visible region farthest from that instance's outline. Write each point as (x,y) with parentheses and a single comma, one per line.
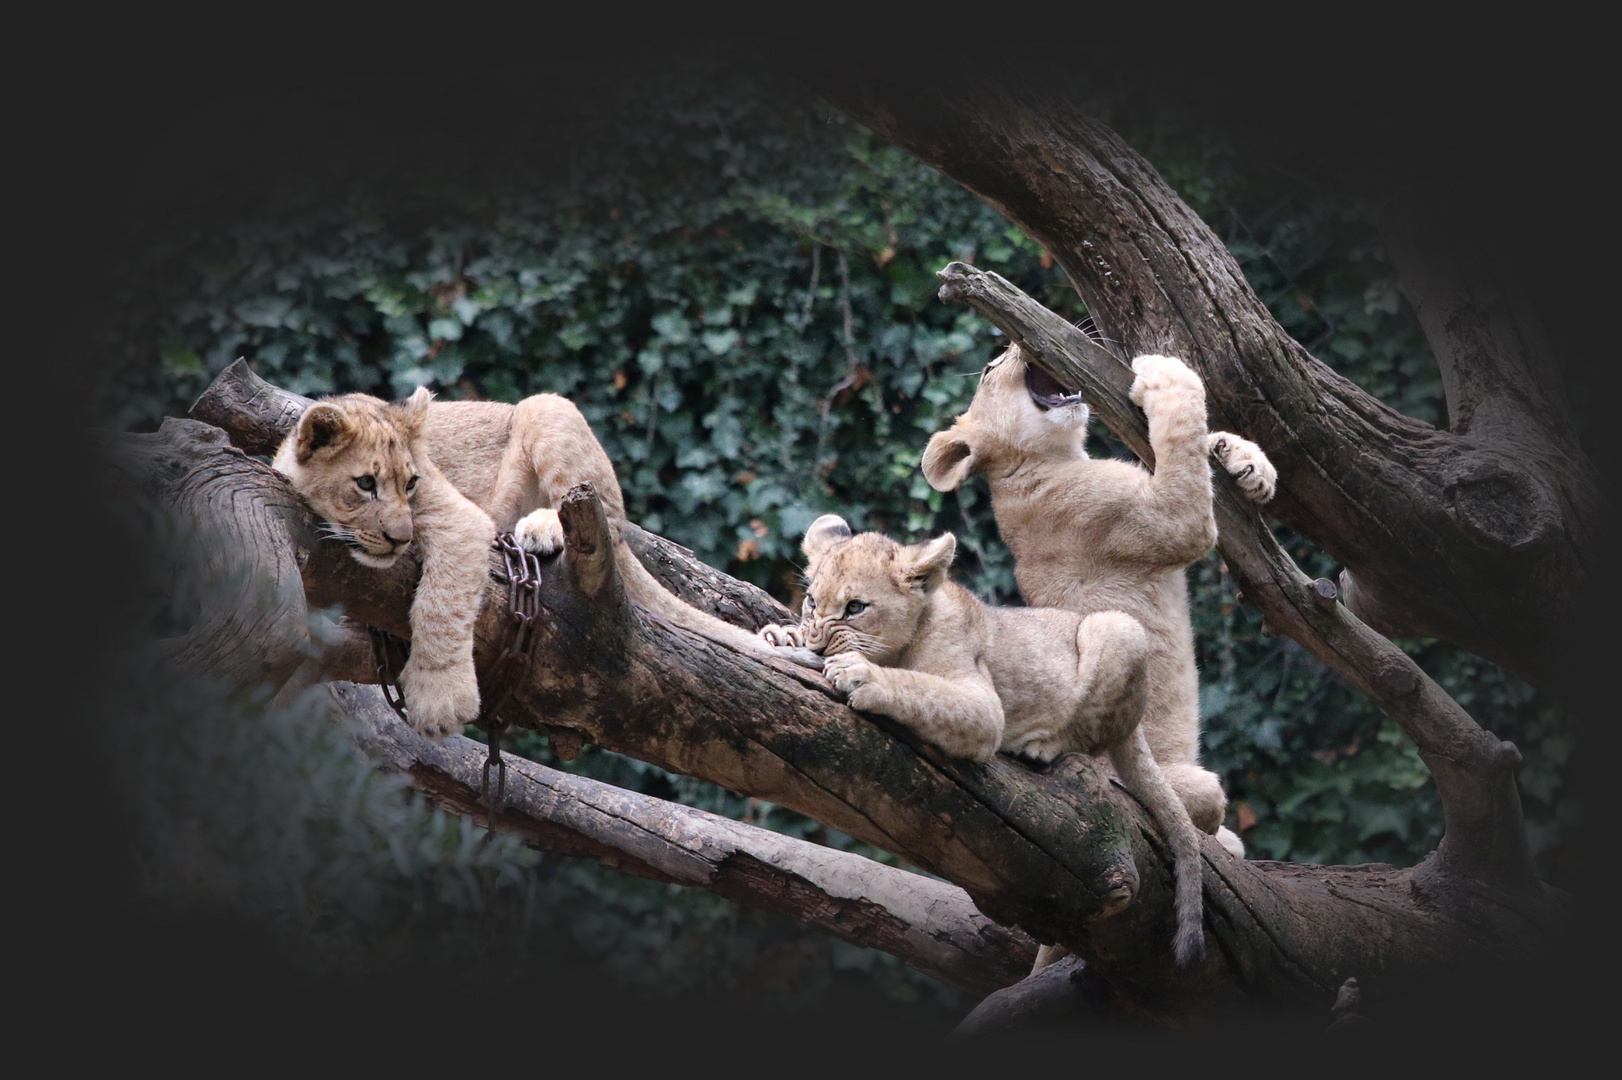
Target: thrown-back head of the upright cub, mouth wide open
(1018,409)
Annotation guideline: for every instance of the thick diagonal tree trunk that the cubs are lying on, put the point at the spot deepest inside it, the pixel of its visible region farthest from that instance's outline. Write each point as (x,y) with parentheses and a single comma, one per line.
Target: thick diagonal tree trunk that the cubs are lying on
(1065,855)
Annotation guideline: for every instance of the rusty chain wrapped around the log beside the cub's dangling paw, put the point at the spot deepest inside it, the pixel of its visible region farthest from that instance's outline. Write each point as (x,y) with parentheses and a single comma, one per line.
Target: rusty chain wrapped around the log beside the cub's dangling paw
(388,654)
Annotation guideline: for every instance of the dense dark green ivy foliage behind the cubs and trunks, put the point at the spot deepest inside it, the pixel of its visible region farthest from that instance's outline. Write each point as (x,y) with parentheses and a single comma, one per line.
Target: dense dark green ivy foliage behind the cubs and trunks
(737,288)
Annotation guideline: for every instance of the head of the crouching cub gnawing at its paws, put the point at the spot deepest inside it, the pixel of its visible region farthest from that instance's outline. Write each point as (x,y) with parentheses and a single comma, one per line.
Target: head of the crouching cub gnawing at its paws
(869,594)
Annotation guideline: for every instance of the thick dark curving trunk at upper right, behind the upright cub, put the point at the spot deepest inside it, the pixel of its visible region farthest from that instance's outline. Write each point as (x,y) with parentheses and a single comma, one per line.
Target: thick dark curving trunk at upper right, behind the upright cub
(1474,536)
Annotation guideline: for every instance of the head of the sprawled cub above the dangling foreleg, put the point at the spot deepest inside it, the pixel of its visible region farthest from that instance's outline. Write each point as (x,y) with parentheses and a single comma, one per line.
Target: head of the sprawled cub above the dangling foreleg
(353,458)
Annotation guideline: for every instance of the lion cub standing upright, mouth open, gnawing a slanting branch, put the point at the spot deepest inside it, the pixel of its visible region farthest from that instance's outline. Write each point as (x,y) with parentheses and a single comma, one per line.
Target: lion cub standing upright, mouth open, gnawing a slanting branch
(1101,534)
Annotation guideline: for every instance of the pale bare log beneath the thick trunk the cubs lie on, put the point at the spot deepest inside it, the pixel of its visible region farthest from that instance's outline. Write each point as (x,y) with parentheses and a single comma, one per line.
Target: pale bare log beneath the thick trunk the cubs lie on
(929,924)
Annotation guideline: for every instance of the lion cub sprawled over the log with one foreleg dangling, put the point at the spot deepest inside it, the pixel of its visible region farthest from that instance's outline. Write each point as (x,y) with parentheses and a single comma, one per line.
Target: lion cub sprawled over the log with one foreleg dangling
(483,468)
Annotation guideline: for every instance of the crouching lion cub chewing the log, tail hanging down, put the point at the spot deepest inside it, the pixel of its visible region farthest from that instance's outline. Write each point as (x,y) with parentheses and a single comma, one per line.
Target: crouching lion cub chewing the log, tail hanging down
(906,641)
